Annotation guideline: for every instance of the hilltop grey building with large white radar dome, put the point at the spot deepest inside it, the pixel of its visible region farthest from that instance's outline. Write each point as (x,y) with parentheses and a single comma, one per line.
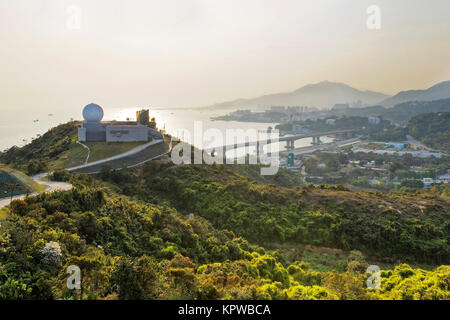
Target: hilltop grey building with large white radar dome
(94,129)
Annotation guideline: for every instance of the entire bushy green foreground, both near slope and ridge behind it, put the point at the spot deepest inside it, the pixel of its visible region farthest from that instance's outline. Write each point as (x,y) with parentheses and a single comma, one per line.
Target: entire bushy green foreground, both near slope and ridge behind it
(161,231)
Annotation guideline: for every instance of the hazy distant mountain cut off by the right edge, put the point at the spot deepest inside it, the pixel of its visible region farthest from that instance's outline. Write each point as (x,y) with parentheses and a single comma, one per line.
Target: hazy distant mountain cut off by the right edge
(436,92)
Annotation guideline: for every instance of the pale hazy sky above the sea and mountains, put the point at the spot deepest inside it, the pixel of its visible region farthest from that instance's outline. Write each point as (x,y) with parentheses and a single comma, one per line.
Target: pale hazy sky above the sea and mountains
(184,53)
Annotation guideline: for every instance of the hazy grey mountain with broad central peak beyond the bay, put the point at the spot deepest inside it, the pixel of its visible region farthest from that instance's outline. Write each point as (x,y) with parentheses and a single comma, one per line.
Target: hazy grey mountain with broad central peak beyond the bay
(320,95)
